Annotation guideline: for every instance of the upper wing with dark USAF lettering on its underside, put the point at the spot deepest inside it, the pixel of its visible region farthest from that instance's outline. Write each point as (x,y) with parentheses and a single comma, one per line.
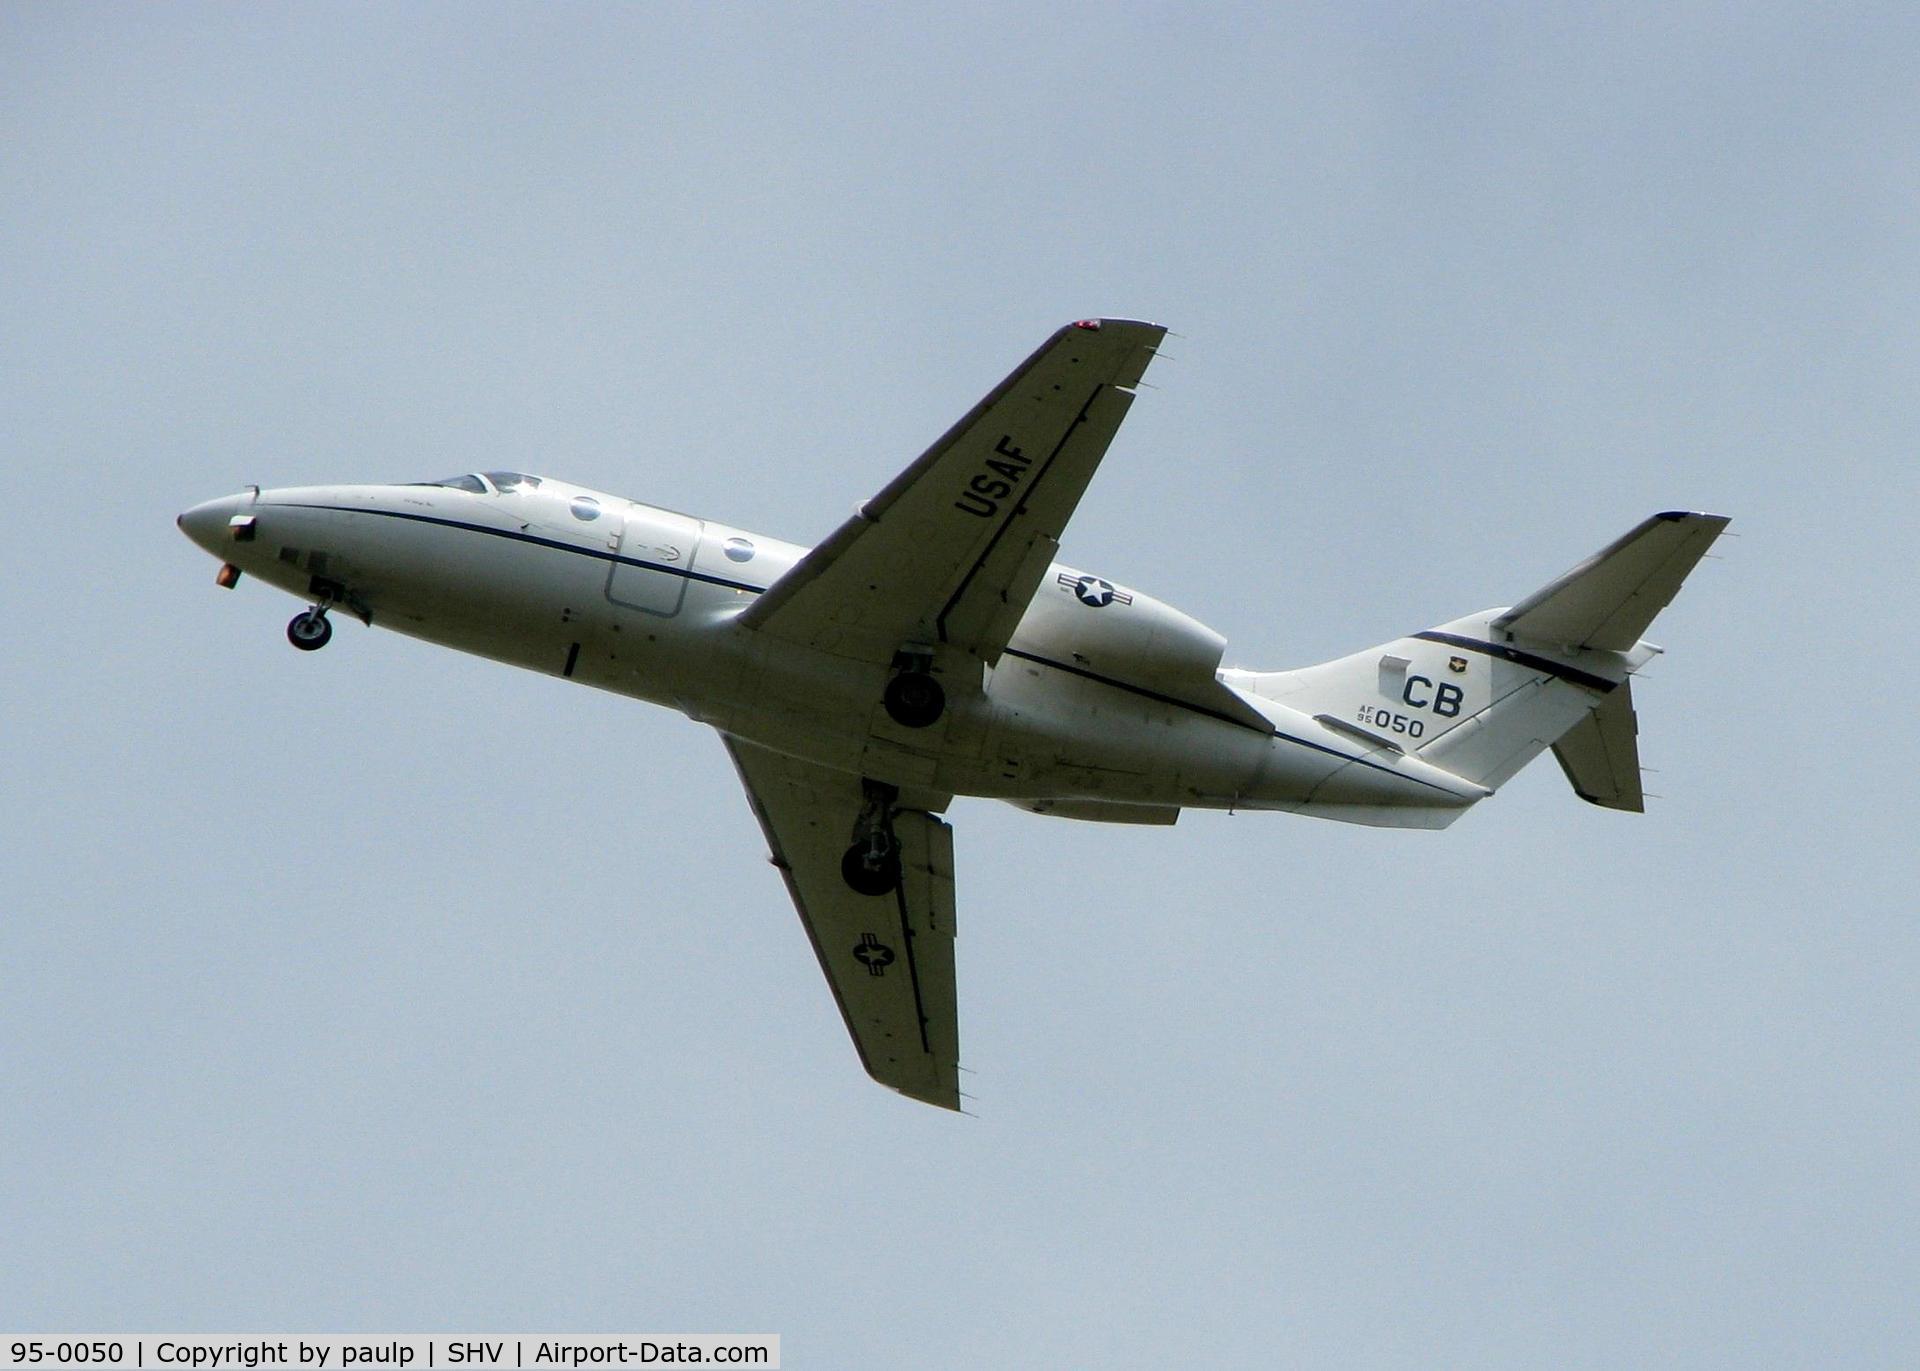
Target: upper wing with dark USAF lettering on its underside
(955,546)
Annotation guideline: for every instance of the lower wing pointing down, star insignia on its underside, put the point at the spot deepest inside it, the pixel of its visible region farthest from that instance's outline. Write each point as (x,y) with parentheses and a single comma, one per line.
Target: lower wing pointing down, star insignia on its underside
(890,959)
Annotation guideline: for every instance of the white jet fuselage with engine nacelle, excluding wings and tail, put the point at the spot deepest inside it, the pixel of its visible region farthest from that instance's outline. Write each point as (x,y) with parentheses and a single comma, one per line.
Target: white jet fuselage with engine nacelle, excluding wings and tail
(1097,710)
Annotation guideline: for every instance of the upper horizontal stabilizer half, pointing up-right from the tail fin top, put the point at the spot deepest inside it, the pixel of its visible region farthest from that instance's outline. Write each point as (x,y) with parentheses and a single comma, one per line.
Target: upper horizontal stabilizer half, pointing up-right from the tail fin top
(1610,600)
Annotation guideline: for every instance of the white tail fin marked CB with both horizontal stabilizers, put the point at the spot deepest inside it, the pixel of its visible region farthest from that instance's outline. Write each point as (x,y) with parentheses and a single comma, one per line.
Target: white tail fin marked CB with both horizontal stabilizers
(1487,694)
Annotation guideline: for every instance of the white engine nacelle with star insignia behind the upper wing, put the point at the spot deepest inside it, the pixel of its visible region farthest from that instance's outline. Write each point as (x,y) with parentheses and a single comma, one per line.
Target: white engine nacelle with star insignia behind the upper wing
(1097,627)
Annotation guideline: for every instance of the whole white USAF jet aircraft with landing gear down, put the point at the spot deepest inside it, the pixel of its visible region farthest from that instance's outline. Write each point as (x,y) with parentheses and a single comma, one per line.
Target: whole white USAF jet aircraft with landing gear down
(934,648)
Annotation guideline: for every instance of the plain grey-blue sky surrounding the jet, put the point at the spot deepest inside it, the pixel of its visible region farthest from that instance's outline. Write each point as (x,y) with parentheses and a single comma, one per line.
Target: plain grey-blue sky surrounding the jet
(393,990)
